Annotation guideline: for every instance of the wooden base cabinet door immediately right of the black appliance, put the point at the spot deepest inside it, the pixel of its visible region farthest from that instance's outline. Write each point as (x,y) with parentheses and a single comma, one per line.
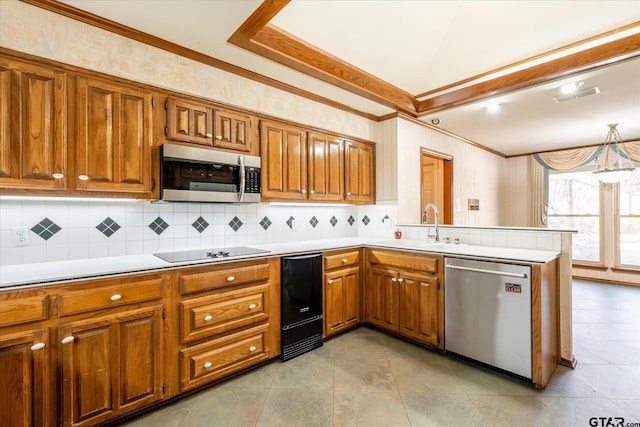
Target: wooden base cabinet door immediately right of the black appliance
(342,300)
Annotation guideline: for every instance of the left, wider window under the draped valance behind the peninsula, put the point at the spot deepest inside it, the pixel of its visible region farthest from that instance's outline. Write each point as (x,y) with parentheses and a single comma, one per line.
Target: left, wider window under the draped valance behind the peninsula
(574,203)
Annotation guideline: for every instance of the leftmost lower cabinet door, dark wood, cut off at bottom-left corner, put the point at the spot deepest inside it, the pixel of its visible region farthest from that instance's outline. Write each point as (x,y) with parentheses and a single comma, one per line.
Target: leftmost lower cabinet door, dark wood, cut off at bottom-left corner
(25,379)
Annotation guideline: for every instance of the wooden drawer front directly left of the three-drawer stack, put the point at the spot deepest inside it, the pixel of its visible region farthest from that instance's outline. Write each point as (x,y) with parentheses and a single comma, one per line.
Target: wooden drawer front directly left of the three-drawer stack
(101,297)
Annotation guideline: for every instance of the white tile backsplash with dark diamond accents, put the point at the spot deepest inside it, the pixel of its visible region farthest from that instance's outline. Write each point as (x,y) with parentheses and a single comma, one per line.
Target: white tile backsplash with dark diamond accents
(67,230)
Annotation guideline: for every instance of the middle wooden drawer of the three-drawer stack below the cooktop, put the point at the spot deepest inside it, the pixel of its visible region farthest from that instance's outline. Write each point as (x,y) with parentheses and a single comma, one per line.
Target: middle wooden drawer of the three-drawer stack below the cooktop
(224,311)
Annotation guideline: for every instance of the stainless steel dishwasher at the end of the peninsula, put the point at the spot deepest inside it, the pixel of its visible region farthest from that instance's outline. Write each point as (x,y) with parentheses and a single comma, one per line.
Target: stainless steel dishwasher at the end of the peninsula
(488,313)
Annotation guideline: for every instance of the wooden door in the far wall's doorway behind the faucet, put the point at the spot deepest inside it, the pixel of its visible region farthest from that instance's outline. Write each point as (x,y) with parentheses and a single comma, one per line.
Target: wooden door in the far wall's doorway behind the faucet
(435,183)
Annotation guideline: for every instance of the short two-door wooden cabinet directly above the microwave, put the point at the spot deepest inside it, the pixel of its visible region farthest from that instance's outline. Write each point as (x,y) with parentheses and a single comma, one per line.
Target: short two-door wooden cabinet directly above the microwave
(205,124)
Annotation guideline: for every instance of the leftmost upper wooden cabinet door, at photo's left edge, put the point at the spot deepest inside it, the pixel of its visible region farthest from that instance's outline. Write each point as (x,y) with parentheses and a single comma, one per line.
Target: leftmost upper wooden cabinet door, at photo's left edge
(32,127)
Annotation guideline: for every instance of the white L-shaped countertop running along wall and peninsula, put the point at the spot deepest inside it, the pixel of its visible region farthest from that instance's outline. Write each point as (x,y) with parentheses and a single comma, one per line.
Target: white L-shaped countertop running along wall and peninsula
(53,272)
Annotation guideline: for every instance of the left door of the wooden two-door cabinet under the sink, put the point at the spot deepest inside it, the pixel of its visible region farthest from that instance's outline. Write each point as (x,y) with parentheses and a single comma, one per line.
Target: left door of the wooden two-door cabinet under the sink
(382,298)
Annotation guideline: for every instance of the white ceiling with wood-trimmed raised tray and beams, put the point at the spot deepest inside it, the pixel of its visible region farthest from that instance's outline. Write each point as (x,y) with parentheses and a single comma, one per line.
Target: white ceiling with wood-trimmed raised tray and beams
(431,60)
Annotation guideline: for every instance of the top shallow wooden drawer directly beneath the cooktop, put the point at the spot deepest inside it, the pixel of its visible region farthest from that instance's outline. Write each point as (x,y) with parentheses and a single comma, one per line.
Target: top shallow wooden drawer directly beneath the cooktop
(190,283)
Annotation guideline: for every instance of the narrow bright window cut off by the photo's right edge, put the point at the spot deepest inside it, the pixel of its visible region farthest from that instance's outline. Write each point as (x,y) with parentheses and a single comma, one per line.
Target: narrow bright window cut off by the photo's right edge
(628,222)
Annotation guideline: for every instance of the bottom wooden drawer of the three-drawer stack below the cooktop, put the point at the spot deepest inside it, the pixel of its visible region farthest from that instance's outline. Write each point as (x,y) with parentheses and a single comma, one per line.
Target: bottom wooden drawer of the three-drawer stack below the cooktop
(217,358)
